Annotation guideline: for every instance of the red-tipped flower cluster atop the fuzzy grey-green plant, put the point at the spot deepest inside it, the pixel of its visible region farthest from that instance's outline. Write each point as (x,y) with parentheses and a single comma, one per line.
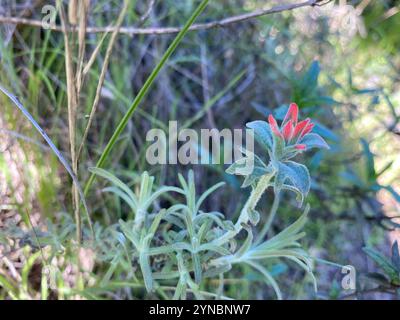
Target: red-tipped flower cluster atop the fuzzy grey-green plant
(291,130)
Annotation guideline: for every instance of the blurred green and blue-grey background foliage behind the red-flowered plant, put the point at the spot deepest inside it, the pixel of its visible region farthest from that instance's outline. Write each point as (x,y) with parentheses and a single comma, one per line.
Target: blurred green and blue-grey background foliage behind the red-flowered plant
(339,62)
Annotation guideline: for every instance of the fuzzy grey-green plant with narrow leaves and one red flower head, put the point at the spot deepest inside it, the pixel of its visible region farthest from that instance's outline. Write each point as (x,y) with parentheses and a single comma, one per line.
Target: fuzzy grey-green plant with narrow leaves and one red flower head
(186,245)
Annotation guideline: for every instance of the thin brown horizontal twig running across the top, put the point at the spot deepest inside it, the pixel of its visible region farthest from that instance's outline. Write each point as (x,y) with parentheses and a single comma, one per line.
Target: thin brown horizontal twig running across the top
(170,30)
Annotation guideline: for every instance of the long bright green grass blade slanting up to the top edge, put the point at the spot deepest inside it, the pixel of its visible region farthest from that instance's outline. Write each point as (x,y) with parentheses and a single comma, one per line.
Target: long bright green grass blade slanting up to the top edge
(143,91)
